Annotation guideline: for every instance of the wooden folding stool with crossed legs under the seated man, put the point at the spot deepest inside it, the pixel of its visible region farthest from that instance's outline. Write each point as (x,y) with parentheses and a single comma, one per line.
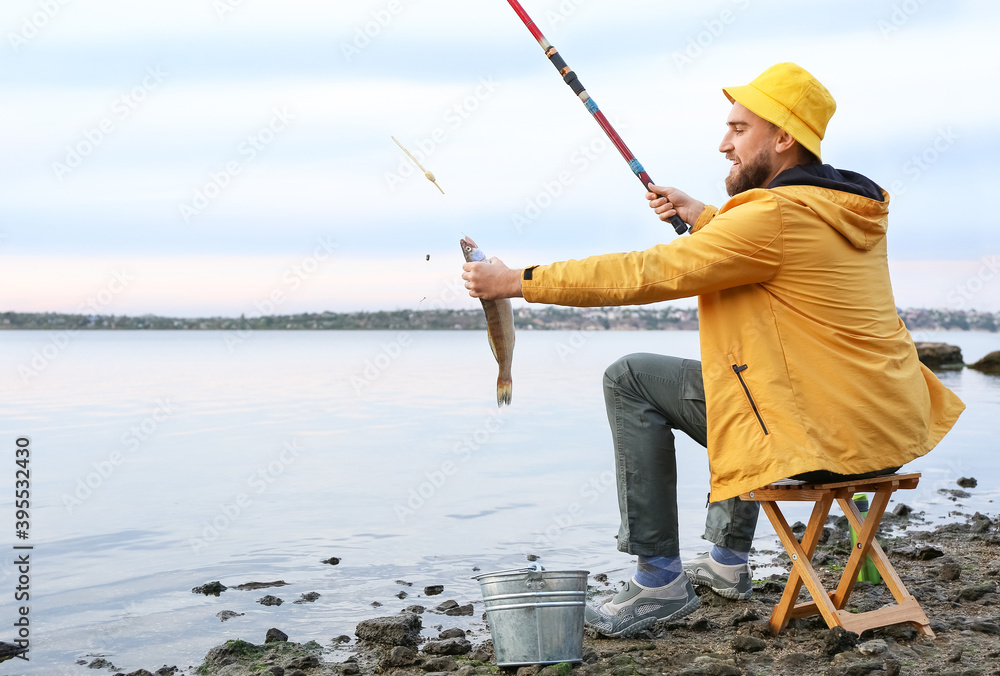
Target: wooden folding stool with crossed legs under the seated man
(831,604)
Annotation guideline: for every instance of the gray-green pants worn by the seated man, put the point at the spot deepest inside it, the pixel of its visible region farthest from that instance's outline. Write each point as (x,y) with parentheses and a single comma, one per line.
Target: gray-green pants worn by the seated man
(647,397)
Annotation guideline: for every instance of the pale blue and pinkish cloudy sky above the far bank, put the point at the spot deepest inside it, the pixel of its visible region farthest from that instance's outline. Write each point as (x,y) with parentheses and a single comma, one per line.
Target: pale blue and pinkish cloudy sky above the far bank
(207,157)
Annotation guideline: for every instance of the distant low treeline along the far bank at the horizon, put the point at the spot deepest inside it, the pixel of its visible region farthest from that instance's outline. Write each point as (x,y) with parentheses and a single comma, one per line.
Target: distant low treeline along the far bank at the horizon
(540,318)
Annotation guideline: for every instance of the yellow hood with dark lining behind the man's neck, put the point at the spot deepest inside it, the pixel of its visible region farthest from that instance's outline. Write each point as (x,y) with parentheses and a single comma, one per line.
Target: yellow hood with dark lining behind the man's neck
(852,204)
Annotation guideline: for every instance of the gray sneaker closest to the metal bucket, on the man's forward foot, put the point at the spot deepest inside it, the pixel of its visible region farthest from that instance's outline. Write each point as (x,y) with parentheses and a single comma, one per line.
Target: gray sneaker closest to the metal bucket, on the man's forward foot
(635,607)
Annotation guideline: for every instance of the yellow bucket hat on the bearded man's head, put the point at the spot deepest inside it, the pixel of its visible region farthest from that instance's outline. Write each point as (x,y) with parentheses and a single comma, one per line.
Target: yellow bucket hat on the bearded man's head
(789,96)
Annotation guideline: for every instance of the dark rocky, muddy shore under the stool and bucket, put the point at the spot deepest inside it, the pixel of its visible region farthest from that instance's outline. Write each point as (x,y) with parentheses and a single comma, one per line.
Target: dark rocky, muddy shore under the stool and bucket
(952,569)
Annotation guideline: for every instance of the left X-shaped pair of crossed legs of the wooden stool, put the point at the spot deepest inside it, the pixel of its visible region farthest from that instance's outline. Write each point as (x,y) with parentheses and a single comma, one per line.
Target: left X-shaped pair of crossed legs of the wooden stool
(783,610)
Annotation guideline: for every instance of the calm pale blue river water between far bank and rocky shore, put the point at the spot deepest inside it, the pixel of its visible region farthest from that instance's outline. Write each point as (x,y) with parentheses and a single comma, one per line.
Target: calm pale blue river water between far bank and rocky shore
(164,460)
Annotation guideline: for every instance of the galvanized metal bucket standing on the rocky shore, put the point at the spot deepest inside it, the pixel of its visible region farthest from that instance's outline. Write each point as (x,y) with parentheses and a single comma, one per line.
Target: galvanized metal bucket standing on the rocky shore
(535,616)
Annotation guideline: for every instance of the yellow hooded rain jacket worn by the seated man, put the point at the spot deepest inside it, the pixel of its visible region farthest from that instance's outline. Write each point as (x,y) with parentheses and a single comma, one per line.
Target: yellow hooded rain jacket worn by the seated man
(807,365)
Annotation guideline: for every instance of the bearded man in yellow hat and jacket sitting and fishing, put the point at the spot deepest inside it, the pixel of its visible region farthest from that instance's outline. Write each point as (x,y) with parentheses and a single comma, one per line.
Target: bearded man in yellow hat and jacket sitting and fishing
(806,368)
